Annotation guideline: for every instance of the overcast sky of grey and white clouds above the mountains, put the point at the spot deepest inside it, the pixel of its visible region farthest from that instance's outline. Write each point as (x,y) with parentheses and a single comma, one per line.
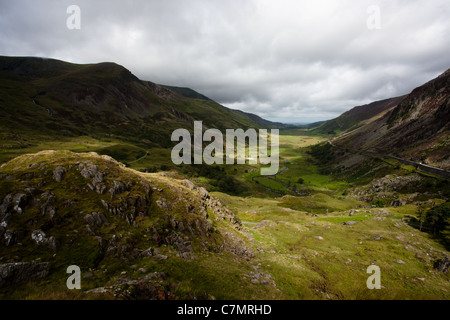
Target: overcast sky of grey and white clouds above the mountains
(289,61)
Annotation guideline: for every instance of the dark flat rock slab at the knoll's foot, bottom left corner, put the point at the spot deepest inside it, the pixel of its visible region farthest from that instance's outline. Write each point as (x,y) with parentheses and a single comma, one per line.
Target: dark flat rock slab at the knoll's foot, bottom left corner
(20,272)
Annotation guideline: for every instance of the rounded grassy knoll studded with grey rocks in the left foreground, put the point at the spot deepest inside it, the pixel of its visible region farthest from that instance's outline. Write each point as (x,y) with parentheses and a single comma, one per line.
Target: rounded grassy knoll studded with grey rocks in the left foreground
(117,224)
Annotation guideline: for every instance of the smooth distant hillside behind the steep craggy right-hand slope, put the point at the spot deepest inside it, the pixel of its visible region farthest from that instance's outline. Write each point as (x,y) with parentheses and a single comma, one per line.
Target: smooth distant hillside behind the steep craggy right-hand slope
(357,116)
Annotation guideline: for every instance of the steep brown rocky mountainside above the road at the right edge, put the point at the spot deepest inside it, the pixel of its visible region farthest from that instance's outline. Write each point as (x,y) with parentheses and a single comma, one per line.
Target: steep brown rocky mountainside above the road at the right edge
(416,128)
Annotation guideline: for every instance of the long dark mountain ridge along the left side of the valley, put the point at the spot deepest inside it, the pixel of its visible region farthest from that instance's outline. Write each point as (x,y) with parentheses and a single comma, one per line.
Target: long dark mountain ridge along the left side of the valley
(48,97)
